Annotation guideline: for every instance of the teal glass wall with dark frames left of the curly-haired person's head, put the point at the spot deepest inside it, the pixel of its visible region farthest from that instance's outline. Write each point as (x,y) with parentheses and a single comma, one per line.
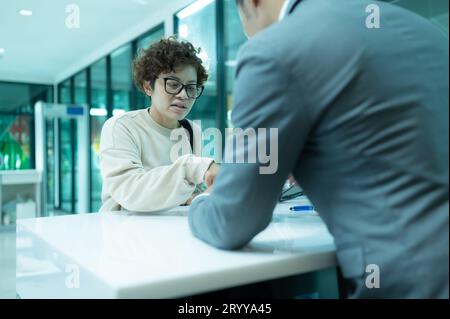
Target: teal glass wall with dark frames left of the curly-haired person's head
(106,86)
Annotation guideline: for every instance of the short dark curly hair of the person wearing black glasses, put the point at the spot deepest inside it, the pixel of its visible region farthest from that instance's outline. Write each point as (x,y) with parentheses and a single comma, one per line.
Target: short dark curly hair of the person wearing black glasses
(164,56)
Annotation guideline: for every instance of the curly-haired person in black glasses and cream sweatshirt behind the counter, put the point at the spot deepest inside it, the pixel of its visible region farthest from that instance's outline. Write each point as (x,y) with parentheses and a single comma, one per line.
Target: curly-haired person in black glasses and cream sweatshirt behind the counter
(135,151)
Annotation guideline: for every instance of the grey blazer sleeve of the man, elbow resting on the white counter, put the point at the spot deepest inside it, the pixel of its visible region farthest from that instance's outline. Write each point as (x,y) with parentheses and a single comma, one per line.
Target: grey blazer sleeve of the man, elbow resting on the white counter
(243,198)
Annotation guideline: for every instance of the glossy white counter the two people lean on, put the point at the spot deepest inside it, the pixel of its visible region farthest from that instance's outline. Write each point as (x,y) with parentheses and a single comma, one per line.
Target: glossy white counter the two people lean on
(126,255)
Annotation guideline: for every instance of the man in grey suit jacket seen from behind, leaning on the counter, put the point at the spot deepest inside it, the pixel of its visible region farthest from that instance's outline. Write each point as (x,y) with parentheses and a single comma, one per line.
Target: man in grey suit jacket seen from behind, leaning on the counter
(362,118)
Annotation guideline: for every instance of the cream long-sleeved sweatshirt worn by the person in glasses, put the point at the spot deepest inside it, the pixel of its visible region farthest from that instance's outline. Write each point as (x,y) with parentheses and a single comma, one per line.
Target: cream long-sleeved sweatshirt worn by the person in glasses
(137,171)
